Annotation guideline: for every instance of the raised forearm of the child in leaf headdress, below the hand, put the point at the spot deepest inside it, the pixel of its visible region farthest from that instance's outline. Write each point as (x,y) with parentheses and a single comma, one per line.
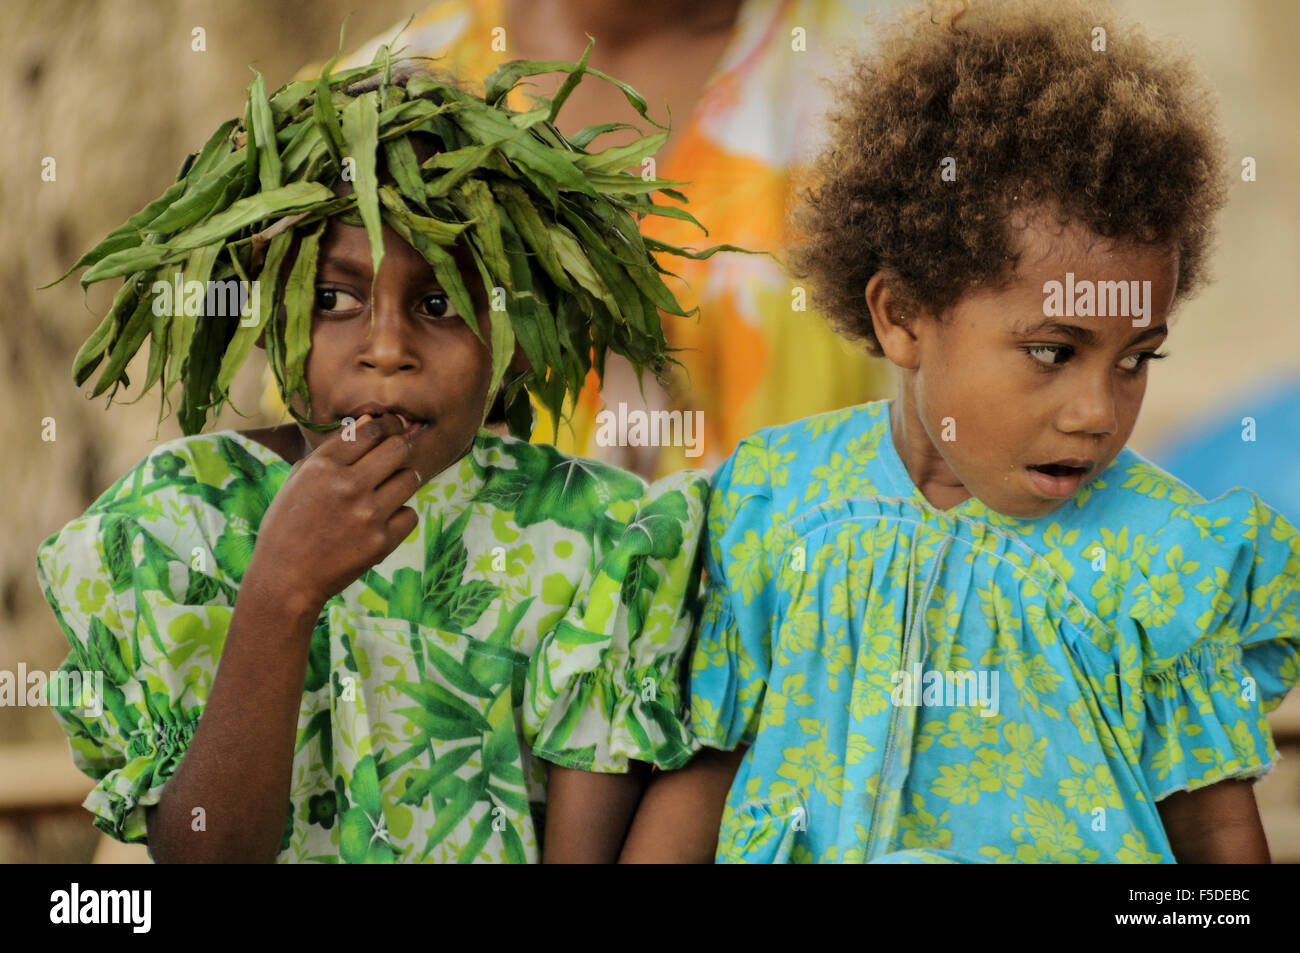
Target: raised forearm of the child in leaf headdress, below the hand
(239,766)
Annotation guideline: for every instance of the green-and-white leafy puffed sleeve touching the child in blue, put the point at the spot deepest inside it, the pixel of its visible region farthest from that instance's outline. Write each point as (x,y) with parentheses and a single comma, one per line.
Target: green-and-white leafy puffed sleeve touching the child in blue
(605,685)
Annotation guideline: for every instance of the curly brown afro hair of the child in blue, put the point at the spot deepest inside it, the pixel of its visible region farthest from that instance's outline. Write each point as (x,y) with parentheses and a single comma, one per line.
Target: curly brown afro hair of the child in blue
(1124,141)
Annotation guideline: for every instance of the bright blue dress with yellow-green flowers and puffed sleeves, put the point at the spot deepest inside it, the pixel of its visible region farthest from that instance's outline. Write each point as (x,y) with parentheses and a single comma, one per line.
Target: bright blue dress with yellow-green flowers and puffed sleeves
(926,686)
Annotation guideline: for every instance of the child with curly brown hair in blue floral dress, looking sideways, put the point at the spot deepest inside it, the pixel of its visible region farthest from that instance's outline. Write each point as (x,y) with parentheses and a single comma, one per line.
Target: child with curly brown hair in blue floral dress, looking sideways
(969,625)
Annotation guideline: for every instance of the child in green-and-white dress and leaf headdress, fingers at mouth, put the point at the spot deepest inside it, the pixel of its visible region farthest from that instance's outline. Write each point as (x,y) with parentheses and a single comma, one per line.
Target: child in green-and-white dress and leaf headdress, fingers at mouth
(382,634)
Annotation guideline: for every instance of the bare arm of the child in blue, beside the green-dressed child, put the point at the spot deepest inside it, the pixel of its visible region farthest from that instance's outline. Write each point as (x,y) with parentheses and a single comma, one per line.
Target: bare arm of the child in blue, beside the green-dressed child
(681,815)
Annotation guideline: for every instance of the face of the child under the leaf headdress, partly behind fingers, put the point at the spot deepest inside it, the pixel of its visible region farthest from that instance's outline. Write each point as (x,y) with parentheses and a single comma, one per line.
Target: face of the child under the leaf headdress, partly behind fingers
(421,359)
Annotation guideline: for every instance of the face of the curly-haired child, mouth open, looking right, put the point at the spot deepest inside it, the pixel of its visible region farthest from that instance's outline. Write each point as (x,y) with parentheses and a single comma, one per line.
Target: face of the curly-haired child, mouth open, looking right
(1000,389)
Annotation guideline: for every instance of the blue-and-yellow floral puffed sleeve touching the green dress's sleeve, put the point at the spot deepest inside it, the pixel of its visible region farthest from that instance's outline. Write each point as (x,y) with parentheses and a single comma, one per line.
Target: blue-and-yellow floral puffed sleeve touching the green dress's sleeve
(733,655)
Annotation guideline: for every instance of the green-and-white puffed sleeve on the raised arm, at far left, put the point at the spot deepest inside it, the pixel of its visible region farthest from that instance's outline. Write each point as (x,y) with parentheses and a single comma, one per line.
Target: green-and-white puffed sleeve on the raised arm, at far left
(146,630)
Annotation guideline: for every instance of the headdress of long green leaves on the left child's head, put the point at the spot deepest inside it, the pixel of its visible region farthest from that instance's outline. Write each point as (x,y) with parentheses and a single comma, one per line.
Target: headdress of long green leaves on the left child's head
(548,222)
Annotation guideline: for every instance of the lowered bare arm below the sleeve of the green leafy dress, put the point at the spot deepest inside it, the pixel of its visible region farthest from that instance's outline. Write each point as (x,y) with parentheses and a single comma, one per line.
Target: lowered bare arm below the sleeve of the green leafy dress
(588,813)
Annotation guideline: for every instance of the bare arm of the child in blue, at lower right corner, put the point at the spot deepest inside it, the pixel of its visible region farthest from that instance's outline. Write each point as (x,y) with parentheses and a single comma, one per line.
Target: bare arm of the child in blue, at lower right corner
(1216,825)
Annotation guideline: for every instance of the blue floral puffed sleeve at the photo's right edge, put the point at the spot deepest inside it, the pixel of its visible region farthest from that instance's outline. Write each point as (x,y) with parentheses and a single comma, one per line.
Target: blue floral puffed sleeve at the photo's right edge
(1217,614)
